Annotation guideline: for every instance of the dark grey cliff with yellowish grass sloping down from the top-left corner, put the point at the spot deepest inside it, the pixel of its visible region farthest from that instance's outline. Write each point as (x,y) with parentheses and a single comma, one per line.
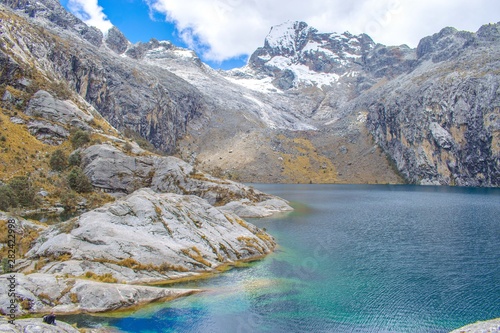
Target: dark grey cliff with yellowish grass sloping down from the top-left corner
(161,103)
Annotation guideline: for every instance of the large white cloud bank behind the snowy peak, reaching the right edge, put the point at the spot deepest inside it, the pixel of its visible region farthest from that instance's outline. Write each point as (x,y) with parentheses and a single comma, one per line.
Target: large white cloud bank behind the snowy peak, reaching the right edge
(222,29)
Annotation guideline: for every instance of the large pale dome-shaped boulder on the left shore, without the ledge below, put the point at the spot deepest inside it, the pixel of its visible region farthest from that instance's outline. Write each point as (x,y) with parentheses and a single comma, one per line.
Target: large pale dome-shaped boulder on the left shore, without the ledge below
(147,237)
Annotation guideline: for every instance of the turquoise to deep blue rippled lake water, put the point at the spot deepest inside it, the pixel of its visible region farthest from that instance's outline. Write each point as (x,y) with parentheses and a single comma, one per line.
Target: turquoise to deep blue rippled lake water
(353,259)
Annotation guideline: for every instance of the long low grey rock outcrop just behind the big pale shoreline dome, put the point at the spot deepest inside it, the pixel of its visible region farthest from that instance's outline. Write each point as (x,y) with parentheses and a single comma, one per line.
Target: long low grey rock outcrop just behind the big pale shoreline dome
(114,171)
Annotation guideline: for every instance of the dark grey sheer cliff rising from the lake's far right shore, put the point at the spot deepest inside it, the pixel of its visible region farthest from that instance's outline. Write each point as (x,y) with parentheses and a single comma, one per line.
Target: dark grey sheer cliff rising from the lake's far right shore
(441,121)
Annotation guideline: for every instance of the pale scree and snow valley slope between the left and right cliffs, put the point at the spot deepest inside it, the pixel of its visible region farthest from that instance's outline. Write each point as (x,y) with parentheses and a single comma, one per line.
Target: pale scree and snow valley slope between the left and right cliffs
(259,132)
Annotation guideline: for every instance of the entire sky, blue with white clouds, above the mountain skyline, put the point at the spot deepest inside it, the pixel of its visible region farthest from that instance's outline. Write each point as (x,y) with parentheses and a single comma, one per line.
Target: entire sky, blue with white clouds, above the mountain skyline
(224,33)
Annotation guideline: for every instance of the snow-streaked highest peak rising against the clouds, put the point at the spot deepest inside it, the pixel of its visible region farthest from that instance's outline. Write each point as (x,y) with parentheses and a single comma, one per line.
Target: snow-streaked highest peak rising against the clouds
(297,55)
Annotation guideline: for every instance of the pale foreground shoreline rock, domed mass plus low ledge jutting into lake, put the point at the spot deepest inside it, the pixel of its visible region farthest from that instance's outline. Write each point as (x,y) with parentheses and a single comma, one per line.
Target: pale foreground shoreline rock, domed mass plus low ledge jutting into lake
(101,260)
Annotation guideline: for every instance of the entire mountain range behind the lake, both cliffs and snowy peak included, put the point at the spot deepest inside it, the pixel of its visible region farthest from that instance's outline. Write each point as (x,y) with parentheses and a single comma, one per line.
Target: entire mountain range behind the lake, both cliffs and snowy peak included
(308,107)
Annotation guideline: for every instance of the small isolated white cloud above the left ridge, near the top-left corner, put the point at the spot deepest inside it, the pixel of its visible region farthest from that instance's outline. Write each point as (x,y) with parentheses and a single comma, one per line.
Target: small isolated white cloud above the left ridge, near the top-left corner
(90,13)
